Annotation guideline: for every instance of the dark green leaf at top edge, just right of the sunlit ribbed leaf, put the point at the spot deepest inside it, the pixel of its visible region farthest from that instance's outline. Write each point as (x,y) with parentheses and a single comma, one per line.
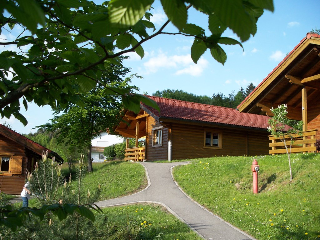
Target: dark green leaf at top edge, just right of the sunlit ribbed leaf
(176,11)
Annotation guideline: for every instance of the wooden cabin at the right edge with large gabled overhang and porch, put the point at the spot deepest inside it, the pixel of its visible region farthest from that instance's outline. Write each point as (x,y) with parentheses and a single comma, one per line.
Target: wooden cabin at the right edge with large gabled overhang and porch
(296,83)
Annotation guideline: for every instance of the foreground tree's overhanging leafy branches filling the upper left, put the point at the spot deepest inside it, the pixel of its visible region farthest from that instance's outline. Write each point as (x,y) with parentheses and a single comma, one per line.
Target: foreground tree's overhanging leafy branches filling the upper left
(64,46)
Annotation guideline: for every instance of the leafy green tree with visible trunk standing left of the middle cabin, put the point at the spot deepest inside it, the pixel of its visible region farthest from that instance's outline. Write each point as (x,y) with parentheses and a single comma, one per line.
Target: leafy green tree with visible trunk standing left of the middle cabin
(77,125)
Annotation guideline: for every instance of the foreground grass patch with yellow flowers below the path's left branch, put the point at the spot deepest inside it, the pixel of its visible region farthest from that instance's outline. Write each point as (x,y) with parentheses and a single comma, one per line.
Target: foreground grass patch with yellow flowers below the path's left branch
(145,221)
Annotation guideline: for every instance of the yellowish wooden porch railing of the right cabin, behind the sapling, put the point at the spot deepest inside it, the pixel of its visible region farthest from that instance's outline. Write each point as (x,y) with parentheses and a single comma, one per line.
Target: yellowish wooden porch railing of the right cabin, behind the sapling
(302,143)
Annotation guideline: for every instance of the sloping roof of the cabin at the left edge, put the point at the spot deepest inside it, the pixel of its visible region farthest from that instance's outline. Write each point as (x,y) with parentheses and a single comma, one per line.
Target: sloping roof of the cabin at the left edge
(26,142)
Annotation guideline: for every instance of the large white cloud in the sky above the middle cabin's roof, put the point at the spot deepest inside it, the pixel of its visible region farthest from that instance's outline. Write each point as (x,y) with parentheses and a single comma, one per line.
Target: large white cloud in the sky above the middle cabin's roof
(183,64)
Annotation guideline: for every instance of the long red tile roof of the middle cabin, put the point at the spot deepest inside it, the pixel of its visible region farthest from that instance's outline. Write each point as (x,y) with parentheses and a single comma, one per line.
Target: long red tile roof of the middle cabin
(189,111)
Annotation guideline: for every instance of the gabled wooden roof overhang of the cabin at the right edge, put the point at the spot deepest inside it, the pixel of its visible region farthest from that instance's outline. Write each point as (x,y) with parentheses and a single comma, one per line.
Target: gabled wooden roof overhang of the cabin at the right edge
(299,69)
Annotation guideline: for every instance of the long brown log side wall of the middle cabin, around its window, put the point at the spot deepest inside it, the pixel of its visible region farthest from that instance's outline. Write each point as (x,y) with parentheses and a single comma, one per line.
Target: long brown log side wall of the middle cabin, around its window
(188,142)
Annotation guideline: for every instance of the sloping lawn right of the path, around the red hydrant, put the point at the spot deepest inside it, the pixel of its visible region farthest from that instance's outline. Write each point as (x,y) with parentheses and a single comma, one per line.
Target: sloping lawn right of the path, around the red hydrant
(281,210)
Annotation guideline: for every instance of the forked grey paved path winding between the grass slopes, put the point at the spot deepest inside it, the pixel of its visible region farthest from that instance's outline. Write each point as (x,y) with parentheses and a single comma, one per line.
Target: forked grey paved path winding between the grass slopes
(162,189)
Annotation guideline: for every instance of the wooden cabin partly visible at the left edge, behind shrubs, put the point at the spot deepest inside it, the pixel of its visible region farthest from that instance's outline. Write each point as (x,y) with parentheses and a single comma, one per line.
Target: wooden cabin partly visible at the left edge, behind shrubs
(18,156)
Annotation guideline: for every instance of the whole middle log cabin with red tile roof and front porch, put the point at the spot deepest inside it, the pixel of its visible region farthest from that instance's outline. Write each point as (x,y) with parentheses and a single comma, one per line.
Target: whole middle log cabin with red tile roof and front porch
(185,130)
